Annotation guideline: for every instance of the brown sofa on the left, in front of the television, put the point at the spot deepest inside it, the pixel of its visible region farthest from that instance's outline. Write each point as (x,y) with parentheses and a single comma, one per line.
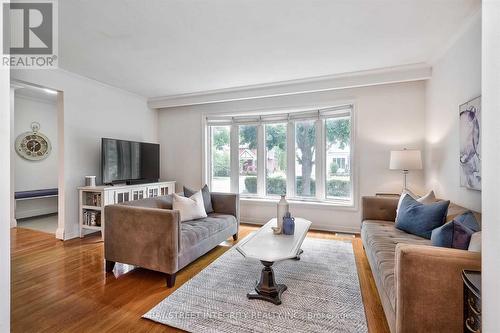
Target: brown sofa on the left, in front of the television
(149,234)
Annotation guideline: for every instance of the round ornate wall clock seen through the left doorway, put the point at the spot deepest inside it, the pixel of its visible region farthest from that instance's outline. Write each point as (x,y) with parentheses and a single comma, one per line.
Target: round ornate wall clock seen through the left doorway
(33,146)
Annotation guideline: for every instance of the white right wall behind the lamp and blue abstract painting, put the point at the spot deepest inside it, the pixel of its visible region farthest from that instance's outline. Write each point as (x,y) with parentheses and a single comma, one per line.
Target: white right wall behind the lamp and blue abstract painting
(456,79)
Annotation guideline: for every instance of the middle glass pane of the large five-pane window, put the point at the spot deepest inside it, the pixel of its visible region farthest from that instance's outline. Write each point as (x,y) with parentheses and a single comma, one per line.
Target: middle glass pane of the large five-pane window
(276,158)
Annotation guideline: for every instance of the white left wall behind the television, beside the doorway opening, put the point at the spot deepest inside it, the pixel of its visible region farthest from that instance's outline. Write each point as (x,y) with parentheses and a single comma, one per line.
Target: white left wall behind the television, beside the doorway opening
(92,110)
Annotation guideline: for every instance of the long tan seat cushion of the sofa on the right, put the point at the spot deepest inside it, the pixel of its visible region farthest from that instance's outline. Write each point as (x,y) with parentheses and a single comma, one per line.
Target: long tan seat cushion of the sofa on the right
(380,239)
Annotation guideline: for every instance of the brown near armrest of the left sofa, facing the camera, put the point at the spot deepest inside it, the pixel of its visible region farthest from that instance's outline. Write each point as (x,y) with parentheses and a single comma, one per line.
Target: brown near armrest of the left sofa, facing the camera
(145,237)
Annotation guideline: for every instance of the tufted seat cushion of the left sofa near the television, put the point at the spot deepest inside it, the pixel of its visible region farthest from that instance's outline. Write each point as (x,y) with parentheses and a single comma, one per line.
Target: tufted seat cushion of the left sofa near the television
(195,231)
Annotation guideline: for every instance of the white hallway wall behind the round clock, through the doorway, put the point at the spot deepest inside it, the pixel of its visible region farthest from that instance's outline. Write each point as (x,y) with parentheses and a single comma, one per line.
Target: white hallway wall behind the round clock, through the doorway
(35,175)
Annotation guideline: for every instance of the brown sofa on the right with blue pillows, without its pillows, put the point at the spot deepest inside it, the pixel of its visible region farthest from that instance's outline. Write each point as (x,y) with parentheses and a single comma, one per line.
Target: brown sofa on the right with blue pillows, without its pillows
(420,285)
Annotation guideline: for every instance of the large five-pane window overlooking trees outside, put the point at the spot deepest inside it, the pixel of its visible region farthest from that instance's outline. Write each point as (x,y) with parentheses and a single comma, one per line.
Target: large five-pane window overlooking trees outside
(306,155)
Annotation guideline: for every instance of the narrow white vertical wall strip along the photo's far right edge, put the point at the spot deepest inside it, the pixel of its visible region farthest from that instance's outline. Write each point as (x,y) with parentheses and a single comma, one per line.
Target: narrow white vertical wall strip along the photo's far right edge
(491,166)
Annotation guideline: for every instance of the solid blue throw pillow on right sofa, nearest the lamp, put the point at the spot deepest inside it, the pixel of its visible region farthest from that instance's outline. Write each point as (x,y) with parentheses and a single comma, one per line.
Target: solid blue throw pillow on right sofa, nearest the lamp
(420,219)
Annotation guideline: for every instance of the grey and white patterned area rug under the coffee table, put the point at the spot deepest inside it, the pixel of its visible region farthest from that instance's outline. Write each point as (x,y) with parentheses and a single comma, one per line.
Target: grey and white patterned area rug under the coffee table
(323,295)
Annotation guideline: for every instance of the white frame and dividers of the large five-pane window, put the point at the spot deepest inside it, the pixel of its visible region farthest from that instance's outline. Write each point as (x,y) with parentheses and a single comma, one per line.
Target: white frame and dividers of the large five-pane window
(320,164)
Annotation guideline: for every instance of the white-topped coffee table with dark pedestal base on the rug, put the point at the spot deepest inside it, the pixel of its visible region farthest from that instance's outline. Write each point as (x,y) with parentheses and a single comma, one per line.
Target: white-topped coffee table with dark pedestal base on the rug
(269,248)
